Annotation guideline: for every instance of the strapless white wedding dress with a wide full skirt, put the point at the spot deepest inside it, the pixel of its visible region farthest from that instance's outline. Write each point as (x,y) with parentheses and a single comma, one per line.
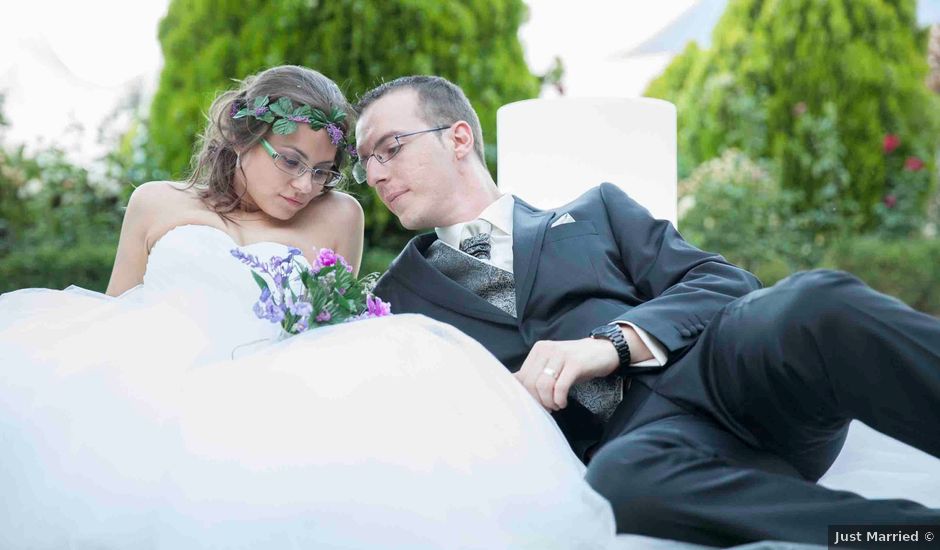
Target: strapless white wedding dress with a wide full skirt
(126,423)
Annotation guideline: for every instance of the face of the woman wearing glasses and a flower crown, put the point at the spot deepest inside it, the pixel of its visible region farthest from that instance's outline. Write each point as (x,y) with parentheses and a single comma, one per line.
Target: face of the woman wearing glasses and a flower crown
(269,187)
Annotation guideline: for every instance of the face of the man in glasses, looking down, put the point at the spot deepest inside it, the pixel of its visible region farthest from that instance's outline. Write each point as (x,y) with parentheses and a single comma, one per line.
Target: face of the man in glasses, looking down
(419,183)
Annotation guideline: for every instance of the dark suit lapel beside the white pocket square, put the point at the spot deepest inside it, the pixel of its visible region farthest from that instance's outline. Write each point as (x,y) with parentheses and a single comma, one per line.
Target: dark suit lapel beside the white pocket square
(528,232)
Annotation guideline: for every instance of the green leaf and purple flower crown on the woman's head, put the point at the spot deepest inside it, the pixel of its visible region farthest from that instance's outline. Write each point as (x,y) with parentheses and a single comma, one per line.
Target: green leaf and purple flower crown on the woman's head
(284,118)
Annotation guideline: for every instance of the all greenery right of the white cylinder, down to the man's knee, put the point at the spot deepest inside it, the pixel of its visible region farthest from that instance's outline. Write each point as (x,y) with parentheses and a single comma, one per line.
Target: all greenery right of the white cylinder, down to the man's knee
(808,137)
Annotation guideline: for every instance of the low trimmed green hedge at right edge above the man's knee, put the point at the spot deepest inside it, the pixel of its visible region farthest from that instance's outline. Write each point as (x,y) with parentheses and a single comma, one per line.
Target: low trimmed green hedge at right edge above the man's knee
(906,269)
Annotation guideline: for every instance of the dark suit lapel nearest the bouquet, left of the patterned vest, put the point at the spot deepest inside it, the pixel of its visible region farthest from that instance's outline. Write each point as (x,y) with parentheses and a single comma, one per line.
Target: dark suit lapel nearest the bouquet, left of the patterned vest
(413,271)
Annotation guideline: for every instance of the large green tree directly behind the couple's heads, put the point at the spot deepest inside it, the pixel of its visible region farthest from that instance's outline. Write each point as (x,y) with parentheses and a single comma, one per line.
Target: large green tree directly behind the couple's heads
(360,43)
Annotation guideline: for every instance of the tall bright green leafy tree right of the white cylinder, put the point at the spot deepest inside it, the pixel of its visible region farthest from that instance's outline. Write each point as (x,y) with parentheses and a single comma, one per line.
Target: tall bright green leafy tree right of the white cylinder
(858,66)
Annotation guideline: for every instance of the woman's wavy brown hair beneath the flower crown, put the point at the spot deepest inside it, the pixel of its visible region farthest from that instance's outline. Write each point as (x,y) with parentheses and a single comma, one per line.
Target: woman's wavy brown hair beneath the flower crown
(214,165)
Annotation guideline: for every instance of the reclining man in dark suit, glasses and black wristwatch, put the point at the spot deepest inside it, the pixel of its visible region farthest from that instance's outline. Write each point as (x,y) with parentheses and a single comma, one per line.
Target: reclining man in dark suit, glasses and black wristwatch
(706,408)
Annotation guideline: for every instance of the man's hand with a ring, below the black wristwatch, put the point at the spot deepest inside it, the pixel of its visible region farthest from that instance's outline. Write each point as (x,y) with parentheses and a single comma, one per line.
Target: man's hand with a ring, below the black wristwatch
(553,366)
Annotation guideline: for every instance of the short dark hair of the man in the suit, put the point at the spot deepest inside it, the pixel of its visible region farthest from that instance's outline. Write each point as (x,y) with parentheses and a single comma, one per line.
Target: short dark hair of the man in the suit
(441,103)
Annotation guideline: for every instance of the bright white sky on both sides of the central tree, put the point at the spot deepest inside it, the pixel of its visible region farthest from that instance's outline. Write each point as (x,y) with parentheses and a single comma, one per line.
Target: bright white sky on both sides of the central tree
(67,64)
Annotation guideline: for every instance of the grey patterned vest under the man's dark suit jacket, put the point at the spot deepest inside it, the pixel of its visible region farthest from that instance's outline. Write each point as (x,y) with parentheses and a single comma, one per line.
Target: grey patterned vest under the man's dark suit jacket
(600,395)
